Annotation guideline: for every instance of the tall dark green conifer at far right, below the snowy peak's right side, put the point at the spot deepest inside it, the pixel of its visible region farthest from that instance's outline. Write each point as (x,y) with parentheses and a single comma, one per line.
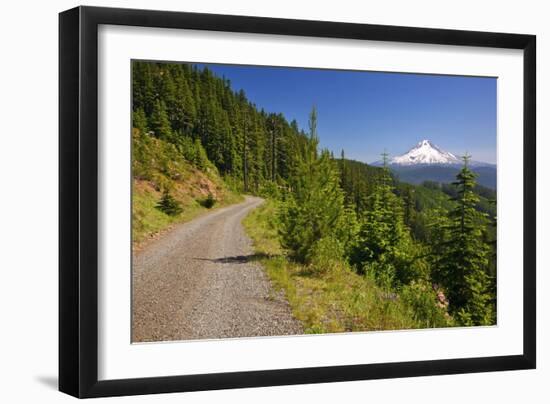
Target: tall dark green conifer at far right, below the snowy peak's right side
(464,255)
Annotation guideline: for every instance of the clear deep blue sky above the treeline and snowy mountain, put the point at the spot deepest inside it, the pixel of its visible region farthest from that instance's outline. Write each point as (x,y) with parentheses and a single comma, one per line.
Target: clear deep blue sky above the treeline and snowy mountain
(367,112)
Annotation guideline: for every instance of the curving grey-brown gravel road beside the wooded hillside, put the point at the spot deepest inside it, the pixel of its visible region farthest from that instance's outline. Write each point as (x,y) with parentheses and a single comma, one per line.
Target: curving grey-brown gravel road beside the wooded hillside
(202,280)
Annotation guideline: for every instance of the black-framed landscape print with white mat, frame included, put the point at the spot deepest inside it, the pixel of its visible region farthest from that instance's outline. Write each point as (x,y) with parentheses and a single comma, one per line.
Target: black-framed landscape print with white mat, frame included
(251,201)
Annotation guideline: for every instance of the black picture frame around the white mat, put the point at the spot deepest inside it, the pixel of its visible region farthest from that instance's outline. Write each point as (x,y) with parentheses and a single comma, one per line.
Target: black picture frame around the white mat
(78,201)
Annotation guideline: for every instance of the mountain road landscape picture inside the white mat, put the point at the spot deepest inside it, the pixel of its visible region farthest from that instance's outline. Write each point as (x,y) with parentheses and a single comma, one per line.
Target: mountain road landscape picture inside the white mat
(282,201)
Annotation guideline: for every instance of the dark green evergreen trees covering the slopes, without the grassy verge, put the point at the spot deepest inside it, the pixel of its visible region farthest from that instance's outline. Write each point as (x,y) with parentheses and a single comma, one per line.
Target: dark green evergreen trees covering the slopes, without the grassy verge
(432,244)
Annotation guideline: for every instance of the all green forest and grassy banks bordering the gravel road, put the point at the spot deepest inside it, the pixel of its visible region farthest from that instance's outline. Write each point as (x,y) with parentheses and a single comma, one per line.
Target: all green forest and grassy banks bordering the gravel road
(352,246)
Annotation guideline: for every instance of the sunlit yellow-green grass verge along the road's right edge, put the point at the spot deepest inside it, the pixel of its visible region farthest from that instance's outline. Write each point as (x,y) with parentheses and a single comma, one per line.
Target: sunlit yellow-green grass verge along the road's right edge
(330,297)
